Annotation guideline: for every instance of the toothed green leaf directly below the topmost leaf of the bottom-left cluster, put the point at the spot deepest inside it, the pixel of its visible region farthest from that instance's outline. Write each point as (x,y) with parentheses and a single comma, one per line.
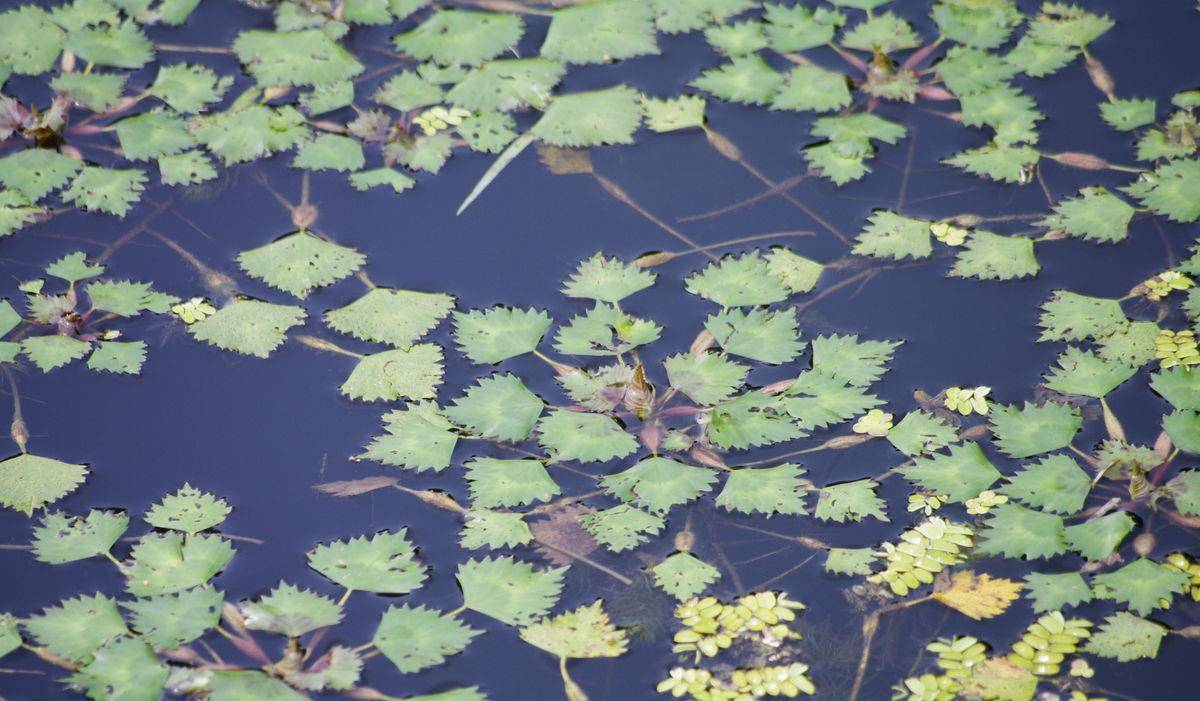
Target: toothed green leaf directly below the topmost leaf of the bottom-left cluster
(173,562)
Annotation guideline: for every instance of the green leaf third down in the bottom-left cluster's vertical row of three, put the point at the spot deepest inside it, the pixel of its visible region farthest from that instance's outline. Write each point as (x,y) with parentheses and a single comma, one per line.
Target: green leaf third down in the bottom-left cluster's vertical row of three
(175,620)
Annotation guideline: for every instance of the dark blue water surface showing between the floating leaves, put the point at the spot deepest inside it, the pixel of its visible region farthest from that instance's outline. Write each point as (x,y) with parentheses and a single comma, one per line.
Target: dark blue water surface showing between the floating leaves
(262,434)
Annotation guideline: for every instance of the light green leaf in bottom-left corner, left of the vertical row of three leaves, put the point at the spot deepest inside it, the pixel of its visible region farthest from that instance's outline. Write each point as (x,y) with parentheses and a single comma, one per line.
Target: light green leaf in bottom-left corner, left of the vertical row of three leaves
(76,628)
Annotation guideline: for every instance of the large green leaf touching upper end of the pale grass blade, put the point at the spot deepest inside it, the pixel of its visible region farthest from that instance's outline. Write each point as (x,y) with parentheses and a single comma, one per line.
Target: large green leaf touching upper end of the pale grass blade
(591,119)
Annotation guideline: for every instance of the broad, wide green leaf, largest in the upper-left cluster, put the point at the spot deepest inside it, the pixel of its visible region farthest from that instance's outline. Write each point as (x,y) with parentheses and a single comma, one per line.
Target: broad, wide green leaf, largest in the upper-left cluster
(295,58)
